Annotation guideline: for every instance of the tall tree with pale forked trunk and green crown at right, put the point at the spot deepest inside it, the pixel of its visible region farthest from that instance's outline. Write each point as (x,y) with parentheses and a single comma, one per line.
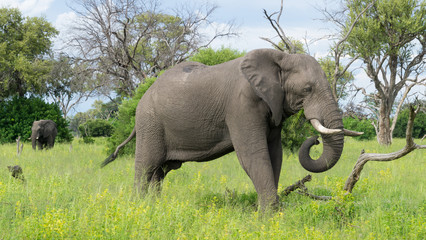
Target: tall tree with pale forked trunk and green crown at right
(390,38)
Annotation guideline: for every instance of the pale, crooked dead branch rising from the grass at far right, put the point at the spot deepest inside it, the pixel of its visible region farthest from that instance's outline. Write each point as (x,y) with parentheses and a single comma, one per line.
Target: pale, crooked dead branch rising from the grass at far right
(365,157)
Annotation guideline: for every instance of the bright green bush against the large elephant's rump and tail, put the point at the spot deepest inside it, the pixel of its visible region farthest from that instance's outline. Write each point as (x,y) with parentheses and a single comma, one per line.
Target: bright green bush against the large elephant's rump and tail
(126,120)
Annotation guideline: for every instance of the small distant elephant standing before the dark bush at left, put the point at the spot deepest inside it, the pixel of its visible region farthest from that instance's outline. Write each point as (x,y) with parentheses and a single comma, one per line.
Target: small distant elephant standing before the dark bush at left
(43,134)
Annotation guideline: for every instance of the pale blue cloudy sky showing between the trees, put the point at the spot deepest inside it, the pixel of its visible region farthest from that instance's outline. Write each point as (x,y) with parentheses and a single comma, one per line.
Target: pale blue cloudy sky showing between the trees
(300,20)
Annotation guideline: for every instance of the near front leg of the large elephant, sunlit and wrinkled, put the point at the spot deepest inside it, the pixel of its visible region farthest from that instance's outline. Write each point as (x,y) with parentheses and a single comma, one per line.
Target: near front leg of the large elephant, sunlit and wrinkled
(253,153)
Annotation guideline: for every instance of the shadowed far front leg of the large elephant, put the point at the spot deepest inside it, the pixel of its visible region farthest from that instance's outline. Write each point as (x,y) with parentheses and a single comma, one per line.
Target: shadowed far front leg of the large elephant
(275,152)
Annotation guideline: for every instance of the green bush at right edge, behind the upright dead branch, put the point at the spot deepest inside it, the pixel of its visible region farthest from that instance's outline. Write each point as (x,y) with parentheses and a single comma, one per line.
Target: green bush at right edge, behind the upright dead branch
(419,127)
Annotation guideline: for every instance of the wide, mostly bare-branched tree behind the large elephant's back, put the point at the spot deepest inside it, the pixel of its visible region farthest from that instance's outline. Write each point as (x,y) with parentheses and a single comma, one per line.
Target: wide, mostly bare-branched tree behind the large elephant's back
(126,42)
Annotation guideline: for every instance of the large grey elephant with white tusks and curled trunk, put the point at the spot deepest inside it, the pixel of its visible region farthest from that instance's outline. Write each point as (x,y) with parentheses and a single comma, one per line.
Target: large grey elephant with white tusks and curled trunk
(194,112)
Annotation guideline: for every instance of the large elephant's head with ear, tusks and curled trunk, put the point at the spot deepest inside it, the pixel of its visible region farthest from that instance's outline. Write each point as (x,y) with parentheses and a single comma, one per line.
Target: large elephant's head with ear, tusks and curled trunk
(290,82)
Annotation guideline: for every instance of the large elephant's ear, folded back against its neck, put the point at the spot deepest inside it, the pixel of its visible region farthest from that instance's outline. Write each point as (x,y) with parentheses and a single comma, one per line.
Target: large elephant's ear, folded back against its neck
(262,70)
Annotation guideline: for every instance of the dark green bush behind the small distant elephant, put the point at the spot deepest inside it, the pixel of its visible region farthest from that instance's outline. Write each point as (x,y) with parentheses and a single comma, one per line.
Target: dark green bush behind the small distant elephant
(18,114)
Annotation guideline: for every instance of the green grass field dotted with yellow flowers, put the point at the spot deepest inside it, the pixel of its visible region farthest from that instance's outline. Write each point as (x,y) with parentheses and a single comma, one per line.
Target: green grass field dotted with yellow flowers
(67,196)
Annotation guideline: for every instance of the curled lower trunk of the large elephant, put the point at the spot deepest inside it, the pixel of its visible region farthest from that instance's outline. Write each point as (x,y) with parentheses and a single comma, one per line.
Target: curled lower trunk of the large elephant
(332,146)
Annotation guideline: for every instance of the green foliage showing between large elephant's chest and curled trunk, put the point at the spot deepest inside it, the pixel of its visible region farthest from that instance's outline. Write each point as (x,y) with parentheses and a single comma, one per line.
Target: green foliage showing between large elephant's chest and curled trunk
(296,129)
